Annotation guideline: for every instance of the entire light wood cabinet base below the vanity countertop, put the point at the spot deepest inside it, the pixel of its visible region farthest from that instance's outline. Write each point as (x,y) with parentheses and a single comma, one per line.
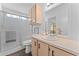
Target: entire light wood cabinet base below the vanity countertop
(40,48)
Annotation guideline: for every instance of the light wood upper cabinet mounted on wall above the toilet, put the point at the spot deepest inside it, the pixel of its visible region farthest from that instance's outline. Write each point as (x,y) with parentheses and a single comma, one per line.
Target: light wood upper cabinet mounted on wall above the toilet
(36,14)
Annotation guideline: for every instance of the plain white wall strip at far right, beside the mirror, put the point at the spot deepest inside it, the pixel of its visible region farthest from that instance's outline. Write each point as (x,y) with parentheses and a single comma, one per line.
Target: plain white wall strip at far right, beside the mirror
(74,21)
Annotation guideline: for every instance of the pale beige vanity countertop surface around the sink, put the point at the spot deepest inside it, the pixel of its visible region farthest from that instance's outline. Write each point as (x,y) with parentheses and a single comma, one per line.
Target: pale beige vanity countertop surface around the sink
(60,41)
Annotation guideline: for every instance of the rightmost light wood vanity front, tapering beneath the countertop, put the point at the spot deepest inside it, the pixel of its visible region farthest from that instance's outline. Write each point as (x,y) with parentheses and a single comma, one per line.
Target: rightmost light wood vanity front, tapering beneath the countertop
(57,52)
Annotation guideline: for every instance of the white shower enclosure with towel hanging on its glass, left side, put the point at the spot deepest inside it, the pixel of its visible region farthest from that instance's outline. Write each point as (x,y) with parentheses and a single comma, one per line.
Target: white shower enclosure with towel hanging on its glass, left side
(12,30)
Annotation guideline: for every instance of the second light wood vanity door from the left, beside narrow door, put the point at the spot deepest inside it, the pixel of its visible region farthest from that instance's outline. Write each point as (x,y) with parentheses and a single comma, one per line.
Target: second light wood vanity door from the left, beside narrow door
(42,49)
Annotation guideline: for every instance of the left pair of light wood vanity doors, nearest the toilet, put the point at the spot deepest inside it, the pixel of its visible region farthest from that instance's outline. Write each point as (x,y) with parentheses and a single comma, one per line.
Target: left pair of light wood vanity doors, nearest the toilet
(39,48)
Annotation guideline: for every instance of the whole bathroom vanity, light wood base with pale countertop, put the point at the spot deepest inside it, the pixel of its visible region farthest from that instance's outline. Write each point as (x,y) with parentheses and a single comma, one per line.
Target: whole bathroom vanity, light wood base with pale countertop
(59,45)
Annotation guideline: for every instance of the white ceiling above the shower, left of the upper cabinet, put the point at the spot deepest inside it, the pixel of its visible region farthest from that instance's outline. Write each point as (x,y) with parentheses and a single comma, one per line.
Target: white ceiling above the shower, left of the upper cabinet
(20,7)
